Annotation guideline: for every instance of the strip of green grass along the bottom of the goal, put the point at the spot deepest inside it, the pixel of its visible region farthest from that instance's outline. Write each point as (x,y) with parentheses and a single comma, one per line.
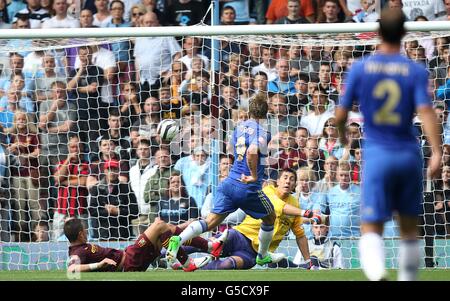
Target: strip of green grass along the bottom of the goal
(250,275)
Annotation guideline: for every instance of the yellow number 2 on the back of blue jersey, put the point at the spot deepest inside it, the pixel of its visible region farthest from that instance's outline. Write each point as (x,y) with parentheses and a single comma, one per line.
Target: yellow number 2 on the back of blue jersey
(386,115)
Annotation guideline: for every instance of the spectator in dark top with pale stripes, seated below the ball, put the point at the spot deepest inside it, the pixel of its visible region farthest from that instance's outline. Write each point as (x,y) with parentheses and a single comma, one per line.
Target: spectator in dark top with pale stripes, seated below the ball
(179,207)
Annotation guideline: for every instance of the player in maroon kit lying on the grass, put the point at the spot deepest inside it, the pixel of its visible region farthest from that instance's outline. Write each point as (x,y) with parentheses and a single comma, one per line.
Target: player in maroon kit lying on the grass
(86,257)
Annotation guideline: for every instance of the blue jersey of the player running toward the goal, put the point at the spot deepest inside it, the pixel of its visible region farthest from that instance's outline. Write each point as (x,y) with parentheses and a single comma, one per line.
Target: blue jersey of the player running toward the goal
(245,134)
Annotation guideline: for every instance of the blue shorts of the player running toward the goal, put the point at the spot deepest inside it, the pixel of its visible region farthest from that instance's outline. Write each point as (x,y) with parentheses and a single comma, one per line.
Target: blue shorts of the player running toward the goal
(232,195)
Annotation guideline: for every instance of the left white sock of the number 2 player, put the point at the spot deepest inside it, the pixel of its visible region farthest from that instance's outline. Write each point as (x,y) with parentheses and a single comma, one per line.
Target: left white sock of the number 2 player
(372,257)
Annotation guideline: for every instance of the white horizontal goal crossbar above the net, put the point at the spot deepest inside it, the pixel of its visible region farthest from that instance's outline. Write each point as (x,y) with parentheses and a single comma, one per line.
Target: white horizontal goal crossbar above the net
(199,30)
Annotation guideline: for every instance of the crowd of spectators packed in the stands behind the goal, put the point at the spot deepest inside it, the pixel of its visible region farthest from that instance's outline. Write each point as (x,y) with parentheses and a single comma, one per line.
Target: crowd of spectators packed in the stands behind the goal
(78,125)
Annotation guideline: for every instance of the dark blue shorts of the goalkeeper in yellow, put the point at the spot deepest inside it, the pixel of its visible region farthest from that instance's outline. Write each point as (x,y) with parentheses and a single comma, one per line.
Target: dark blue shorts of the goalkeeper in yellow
(239,245)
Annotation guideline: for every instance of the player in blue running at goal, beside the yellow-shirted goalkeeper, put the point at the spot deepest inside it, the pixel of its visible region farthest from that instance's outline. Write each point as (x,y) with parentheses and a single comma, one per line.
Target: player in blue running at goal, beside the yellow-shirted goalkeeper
(242,188)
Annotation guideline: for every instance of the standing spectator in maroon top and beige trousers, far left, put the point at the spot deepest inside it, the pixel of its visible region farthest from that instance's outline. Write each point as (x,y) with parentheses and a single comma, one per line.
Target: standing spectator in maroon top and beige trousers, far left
(24,148)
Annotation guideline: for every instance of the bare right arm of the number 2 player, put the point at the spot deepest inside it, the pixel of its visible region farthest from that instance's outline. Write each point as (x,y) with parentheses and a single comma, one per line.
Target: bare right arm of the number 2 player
(432,132)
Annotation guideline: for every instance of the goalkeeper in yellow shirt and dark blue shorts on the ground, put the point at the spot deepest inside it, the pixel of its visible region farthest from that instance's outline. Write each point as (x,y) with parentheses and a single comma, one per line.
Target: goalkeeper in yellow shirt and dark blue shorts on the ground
(240,244)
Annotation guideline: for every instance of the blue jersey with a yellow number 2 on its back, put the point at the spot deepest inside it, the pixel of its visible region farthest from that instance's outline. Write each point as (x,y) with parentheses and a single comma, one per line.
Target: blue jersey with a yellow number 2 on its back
(388,89)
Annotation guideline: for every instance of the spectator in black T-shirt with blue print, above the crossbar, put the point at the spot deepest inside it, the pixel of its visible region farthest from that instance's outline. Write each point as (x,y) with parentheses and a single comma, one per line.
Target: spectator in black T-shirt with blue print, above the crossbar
(184,13)
